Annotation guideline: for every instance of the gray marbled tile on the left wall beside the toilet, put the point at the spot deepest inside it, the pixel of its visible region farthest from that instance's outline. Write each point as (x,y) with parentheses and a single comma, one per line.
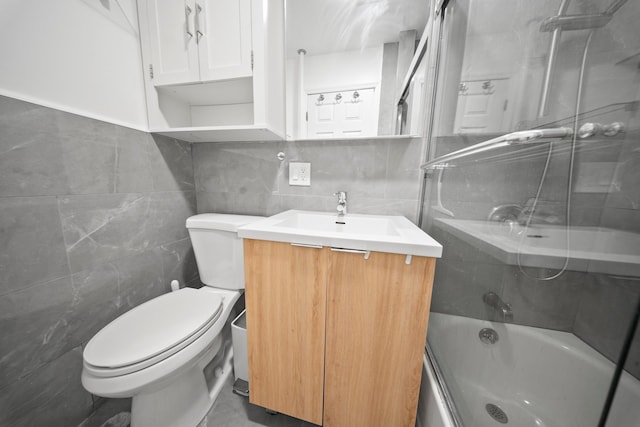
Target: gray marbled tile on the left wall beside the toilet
(91,224)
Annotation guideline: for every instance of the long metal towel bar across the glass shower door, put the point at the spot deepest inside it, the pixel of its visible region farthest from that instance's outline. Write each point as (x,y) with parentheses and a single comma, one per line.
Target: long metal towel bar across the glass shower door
(533,136)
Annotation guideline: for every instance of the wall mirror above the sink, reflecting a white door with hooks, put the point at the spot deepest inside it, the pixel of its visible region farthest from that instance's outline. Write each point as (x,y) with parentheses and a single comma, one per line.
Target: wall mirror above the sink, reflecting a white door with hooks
(347,62)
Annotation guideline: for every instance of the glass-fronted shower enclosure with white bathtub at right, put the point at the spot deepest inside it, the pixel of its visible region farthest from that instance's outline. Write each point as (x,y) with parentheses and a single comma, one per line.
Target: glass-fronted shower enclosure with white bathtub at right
(532,185)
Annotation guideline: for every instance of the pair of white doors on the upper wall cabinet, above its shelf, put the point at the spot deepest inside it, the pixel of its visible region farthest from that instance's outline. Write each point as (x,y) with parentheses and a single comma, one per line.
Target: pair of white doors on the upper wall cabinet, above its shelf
(198,41)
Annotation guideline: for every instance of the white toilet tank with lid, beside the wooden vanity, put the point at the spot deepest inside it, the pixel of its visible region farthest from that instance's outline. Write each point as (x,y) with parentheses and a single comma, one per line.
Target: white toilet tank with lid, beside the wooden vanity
(218,249)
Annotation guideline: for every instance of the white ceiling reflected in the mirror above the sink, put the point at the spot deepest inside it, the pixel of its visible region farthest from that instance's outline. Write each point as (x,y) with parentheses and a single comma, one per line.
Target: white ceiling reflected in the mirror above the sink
(324,26)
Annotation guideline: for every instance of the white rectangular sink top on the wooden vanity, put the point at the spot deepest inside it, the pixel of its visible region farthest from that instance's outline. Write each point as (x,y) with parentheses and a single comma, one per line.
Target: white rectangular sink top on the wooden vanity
(379,233)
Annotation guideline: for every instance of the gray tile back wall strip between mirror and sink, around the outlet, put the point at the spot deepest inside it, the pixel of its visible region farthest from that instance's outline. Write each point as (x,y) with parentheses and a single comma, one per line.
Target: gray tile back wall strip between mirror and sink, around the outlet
(381,176)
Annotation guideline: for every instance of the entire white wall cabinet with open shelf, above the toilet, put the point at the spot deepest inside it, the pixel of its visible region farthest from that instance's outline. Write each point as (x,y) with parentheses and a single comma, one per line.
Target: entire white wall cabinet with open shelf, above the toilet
(214,69)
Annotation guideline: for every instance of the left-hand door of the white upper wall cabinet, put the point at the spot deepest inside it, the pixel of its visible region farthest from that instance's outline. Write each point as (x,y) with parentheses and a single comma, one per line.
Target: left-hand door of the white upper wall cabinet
(172,41)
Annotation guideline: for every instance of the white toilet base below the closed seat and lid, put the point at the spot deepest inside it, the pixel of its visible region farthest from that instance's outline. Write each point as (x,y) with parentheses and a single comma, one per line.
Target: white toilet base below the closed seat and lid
(182,403)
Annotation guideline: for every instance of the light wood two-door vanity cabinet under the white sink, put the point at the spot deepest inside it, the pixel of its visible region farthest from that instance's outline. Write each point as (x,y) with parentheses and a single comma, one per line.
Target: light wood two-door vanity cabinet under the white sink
(334,338)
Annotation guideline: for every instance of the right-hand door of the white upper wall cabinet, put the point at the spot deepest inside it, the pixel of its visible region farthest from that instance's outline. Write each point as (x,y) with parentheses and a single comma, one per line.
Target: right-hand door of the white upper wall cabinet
(224,38)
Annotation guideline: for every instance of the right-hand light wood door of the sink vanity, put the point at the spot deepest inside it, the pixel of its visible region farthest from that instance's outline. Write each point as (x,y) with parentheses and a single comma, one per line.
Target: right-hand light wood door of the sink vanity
(377,314)
